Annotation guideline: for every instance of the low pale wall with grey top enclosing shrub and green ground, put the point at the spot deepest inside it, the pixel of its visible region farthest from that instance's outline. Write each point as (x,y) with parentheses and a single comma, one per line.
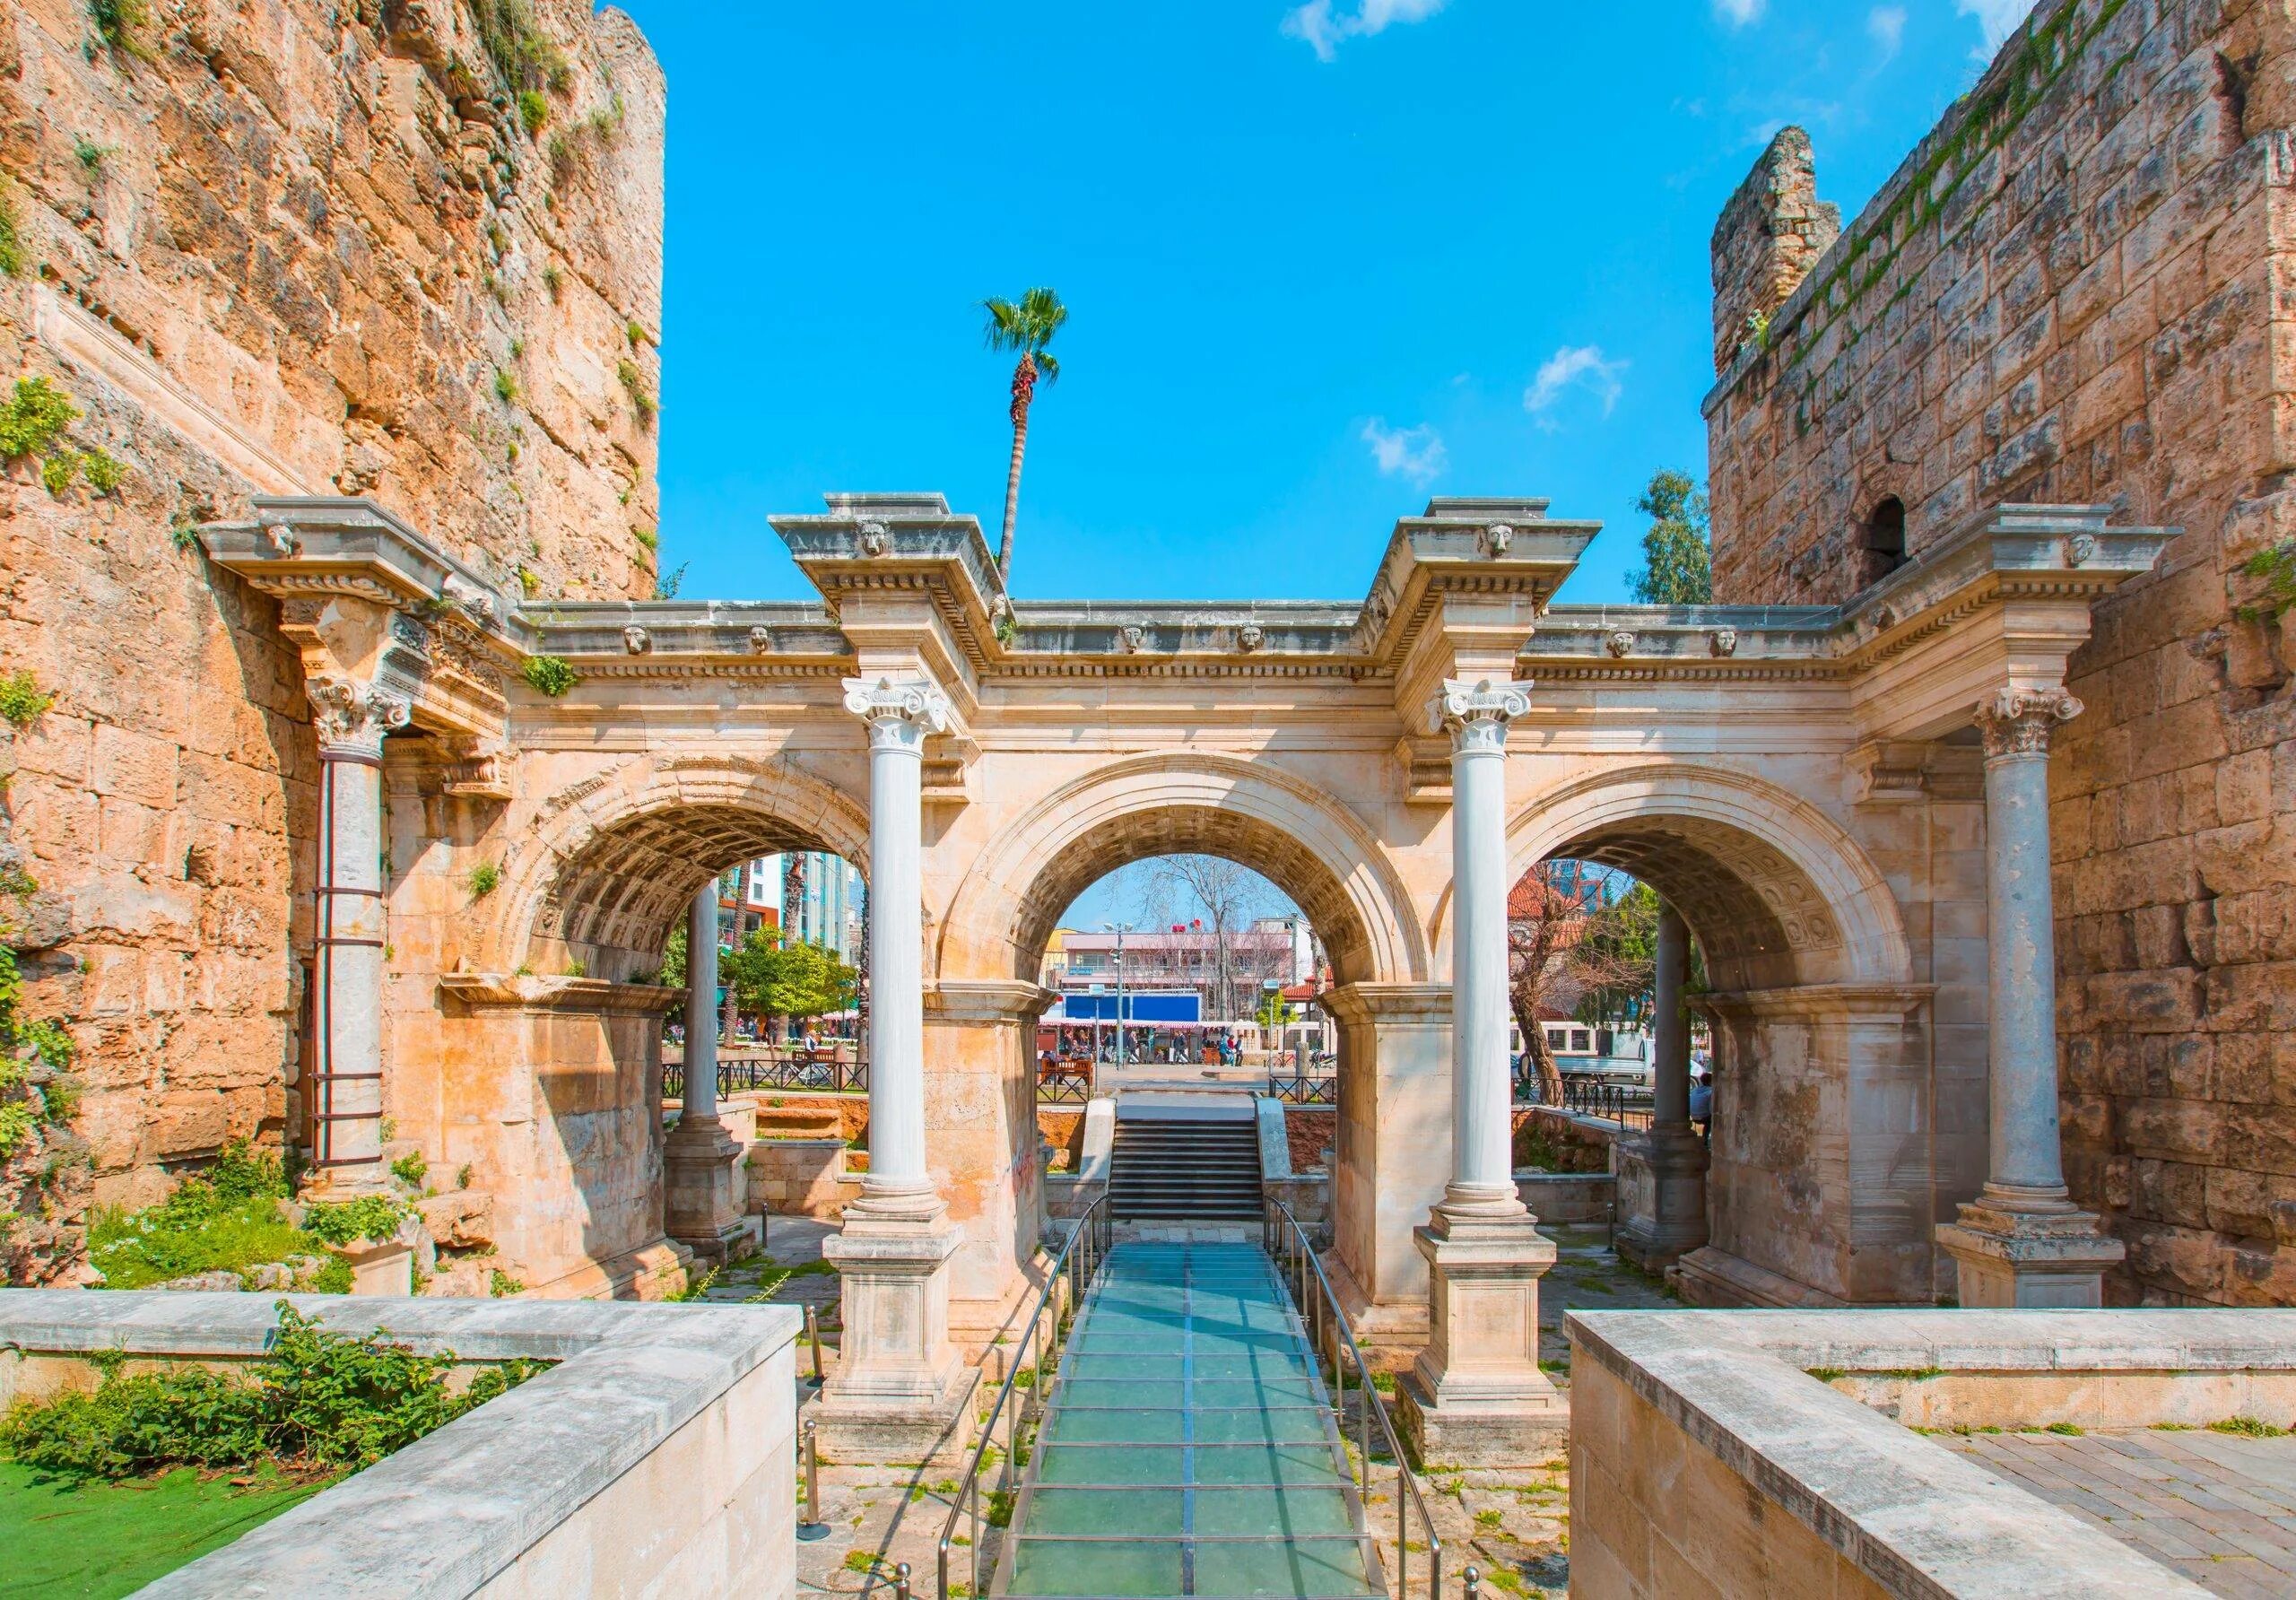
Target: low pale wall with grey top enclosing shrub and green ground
(660,1454)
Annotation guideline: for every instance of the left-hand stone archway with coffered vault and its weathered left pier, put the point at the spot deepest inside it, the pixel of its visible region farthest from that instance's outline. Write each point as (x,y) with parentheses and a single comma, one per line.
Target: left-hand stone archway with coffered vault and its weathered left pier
(548,1059)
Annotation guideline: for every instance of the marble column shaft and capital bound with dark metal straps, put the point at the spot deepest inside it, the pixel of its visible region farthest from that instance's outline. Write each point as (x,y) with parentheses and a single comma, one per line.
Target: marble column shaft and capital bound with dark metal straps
(343,1082)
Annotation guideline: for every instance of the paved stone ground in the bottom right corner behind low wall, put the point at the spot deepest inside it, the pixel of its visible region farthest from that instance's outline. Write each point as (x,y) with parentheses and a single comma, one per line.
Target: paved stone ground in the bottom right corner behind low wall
(2221,1509)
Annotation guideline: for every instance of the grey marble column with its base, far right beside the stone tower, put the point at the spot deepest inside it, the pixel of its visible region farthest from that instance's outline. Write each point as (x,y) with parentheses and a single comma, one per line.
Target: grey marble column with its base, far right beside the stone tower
(2022,1241)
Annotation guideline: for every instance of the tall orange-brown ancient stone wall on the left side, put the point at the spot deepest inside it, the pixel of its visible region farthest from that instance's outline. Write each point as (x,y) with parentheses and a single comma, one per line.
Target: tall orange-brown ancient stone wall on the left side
(284,247)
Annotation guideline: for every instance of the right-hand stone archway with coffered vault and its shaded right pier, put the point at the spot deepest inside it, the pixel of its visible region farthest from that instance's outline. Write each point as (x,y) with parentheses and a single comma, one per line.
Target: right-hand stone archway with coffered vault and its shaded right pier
(1824,1181)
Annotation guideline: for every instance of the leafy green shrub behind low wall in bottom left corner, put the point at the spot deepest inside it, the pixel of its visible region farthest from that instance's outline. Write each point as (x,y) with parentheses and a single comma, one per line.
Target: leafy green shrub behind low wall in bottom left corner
(316,1404)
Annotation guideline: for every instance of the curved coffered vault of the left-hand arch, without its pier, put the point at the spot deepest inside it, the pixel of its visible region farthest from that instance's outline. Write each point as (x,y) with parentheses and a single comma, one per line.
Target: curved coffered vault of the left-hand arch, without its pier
(612,860)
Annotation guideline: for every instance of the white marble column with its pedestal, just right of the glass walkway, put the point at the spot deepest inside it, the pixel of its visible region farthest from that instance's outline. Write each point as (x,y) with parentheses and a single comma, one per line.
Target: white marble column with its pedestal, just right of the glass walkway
(1477,1397)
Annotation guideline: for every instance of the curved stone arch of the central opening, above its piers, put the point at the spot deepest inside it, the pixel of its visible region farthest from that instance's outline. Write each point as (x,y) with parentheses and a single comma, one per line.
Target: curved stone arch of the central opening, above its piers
(1181,805)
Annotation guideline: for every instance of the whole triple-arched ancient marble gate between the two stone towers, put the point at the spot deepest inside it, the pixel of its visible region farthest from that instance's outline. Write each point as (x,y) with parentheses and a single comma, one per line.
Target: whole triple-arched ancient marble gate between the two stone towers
(1829,795)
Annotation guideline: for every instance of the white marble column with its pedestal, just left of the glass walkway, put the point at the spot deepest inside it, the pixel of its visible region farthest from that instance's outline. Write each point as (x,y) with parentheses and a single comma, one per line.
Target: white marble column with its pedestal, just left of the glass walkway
(897,1392)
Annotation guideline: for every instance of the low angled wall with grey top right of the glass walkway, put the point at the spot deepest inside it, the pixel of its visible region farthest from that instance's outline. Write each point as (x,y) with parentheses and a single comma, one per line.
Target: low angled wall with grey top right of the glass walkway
(1707,1459)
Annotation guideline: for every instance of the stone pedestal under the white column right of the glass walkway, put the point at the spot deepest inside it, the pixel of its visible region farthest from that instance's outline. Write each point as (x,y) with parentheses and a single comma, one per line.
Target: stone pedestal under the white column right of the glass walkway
(1477,1397)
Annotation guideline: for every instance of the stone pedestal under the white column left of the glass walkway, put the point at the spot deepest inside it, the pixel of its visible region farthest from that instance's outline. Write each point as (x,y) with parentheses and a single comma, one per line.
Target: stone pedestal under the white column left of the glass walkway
(899,1390)
